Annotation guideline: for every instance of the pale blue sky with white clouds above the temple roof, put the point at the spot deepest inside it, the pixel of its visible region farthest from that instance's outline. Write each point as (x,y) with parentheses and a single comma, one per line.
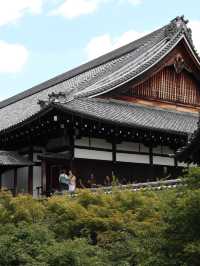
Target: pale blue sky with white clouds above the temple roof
(40,39)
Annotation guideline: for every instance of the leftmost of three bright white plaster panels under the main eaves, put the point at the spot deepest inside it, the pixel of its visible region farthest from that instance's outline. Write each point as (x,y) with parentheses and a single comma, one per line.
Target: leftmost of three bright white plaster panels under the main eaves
(91,154)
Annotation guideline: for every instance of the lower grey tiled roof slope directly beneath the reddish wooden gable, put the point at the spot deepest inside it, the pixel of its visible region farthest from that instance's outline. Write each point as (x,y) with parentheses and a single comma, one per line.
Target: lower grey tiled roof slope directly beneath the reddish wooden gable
(132,115)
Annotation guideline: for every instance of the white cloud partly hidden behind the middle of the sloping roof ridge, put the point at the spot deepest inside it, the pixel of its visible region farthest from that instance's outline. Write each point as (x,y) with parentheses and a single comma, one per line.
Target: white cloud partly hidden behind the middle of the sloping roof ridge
(102,44)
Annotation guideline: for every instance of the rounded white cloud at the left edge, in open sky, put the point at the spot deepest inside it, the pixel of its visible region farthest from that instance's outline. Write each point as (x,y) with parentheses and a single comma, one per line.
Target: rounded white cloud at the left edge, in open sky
(12,57)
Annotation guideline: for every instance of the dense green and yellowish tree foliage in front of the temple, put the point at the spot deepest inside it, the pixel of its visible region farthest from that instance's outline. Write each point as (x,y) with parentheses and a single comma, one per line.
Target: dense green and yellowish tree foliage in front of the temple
(119,229)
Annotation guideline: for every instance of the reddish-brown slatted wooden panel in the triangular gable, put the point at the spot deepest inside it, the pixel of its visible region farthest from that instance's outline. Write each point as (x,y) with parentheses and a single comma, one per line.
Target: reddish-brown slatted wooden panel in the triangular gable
(168,85)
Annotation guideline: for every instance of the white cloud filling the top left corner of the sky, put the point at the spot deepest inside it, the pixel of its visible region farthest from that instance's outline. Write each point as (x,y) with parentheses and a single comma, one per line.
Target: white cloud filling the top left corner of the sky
(13,10)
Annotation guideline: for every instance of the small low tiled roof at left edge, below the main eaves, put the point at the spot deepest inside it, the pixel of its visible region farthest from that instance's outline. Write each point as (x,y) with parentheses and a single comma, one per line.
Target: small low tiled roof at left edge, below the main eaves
(10,158)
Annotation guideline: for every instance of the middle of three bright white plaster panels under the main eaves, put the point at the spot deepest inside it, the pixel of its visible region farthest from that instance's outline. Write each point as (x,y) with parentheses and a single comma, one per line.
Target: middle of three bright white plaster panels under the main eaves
(132,158)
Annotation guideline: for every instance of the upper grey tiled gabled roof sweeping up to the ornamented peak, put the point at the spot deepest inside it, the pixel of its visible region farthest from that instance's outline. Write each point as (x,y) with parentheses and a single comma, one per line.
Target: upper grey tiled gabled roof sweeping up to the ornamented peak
(100,75)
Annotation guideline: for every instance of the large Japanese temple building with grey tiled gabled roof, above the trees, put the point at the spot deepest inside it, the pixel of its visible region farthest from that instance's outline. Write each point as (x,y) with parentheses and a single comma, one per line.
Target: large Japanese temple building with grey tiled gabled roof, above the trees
(125,112)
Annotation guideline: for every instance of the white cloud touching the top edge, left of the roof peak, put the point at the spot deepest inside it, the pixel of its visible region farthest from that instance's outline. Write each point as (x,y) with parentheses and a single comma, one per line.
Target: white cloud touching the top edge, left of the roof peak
(75,8)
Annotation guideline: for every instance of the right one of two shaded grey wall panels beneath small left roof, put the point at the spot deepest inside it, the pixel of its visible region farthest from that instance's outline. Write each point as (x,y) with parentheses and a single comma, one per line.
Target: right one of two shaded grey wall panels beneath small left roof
(22,180)
